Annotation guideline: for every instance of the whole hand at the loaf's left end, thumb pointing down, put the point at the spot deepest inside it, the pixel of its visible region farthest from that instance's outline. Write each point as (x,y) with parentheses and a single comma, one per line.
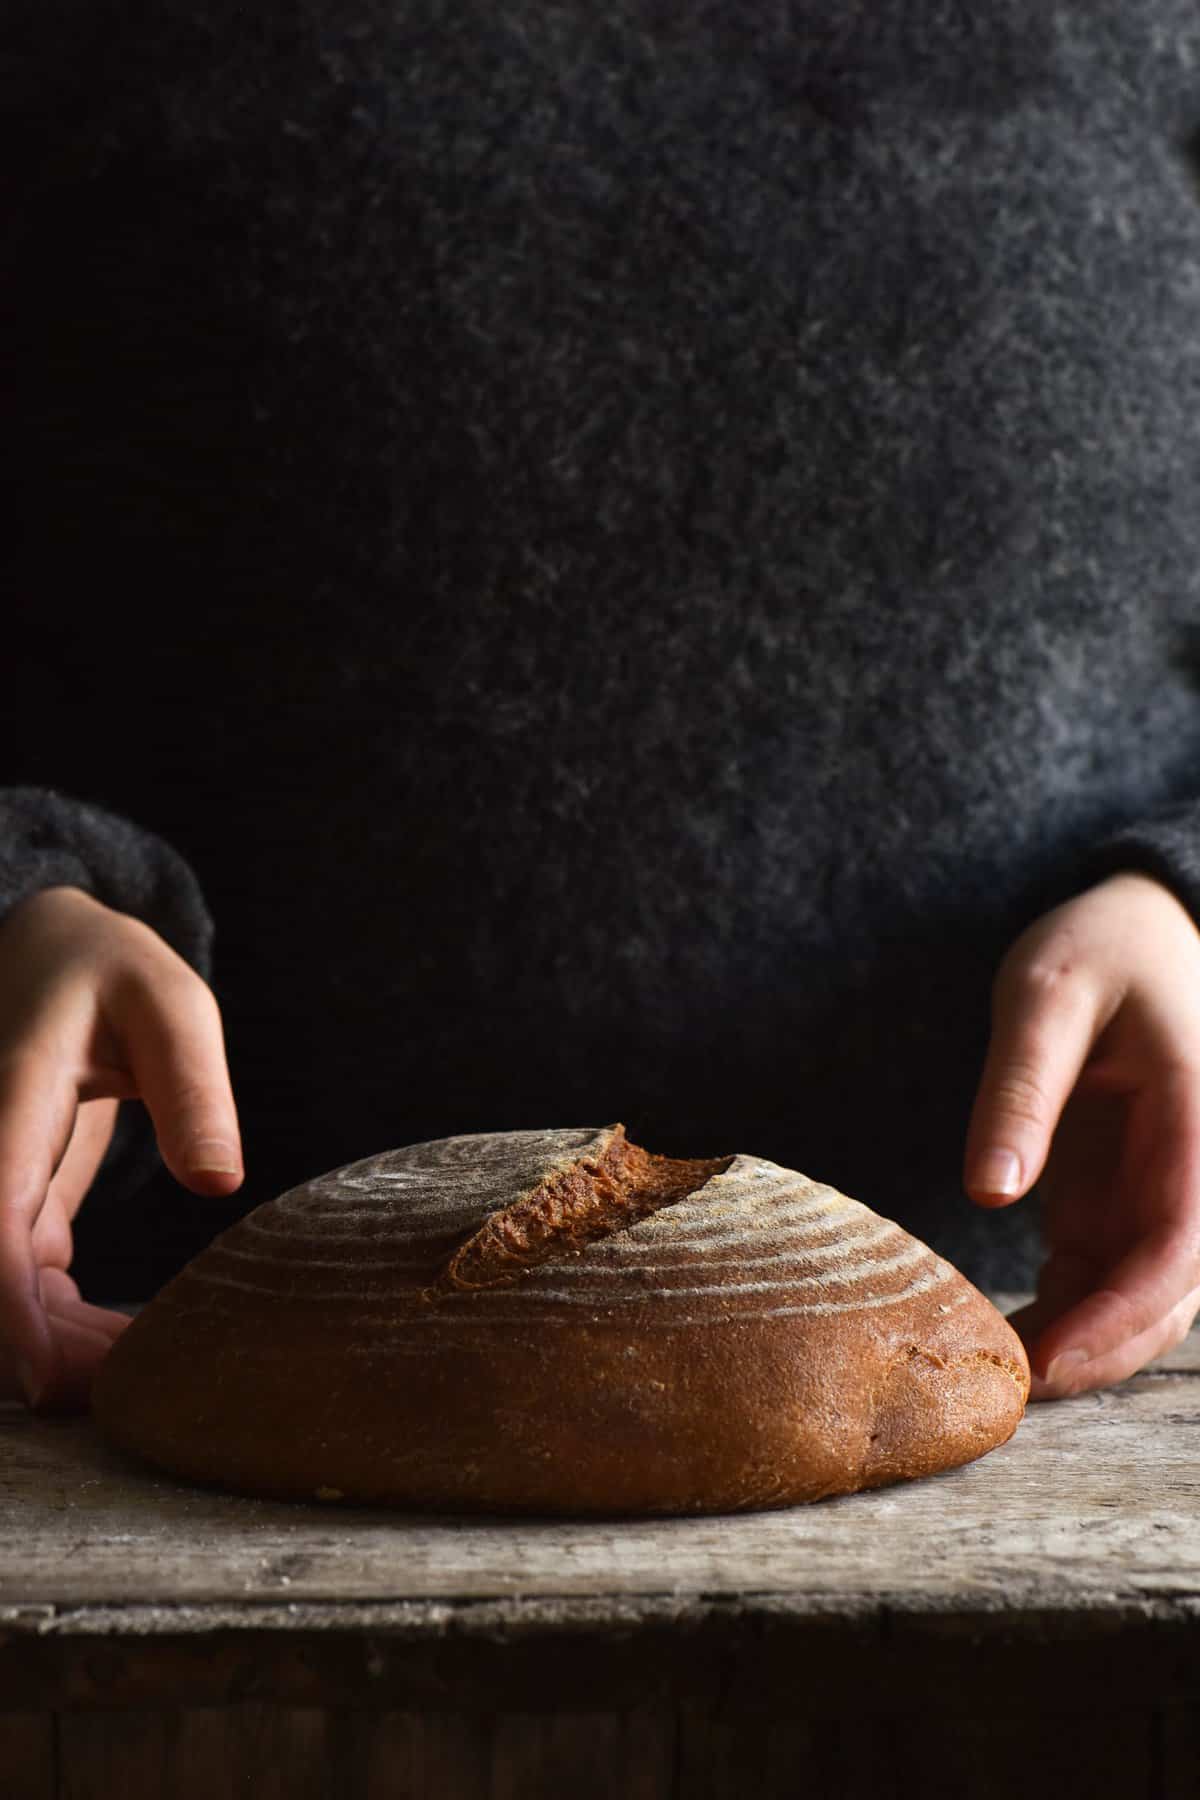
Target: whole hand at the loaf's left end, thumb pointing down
(94,1009)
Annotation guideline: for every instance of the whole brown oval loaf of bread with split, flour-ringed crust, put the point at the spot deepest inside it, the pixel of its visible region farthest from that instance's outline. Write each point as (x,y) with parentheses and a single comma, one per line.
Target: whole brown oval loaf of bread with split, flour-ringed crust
(557,1322)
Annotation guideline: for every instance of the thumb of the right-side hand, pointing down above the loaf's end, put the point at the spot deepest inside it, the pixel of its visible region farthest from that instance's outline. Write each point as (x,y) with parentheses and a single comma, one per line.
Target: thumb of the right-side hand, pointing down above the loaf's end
(1044,1025)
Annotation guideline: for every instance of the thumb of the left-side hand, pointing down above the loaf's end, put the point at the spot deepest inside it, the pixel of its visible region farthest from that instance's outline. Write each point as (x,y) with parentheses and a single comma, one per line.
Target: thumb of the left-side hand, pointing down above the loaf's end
(172,1030)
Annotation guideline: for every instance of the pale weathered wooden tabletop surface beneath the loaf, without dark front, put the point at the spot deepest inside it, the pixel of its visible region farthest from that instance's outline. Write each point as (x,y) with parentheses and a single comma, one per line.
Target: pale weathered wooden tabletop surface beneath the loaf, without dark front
(1095,1502)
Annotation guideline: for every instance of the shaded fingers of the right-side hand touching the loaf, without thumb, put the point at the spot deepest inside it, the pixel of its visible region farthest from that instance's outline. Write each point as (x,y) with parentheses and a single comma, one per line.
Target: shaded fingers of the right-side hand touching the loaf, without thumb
(1163,1268)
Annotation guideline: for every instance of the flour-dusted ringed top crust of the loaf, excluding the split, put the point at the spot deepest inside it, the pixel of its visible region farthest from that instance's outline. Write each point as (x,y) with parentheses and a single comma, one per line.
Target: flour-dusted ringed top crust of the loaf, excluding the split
(827,1252)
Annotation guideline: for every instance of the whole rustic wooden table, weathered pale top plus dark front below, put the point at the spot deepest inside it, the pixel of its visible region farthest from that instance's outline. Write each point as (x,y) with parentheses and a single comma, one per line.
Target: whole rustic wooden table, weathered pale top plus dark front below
(1025,1626)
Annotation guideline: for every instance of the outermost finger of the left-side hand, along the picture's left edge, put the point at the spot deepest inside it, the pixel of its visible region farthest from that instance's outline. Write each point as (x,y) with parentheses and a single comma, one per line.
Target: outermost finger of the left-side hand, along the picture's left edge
(37,1119)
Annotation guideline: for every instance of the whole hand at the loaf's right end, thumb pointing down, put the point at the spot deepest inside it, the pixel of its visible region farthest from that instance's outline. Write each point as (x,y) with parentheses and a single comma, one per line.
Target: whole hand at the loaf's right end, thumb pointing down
(1093,1083)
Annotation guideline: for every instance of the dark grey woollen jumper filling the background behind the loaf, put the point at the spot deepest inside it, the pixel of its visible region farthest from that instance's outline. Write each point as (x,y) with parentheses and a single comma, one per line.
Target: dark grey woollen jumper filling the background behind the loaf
(616,553)
